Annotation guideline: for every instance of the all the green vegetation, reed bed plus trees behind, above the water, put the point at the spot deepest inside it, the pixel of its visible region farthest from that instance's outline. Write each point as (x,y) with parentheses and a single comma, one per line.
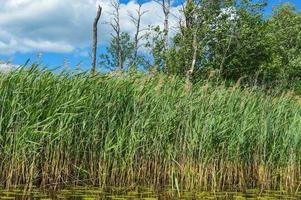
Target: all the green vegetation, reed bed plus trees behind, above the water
(203,111)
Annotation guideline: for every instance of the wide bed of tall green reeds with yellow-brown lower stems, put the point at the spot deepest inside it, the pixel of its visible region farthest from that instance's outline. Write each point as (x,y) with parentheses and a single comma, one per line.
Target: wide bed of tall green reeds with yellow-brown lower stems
(62,129)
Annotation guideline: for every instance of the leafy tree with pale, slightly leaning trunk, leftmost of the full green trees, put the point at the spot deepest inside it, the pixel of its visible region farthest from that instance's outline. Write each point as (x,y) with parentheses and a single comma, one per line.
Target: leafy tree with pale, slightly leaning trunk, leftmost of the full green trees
(188,45)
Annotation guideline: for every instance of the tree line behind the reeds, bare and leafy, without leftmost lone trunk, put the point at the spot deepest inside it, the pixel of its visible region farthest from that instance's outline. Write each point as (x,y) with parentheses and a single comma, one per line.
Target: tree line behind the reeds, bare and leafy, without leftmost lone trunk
(230,39)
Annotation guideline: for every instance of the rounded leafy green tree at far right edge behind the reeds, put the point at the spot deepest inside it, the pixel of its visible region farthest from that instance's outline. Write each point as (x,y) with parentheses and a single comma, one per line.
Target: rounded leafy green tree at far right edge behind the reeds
(284,38)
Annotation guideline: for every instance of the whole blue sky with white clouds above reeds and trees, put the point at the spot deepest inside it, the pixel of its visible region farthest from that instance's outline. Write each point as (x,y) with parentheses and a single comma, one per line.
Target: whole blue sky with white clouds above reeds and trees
(60,31)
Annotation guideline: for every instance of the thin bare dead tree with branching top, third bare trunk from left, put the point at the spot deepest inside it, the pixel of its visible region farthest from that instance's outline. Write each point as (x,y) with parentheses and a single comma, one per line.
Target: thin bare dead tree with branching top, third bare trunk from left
(136,20)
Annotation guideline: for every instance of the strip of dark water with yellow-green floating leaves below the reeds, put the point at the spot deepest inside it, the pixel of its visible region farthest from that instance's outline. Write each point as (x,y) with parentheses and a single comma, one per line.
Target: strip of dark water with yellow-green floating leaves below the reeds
(86,193)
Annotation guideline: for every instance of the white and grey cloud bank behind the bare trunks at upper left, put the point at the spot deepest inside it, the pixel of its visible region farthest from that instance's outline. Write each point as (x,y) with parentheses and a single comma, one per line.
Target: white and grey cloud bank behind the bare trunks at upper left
(63,26)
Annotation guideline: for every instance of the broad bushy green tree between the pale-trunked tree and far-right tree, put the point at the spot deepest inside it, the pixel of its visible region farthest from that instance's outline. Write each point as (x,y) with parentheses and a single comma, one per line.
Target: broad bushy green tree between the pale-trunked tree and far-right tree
(236,46)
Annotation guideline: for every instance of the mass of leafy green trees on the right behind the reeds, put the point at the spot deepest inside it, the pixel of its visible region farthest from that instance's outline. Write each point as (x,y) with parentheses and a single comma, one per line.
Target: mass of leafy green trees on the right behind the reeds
(236,42)
